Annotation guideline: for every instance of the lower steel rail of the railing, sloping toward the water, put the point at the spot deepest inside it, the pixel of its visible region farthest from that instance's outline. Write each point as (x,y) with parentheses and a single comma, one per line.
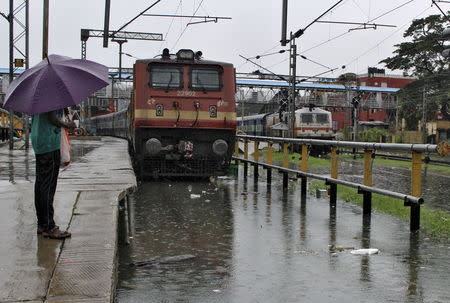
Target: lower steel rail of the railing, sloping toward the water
(328,180)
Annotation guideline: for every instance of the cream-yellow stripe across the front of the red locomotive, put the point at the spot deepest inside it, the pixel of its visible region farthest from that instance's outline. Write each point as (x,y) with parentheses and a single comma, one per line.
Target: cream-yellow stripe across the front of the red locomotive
(184,114)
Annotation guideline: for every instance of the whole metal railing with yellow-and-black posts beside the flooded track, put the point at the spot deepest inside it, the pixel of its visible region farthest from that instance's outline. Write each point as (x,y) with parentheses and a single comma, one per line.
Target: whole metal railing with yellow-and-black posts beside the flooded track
(412,200)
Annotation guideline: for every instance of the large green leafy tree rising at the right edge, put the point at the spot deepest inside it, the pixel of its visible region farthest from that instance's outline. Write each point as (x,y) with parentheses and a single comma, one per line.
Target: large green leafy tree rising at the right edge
(421,57)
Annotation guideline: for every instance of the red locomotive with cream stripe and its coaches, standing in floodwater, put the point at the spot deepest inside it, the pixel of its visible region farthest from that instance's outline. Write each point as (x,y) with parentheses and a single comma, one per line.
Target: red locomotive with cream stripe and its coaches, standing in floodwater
(182,117)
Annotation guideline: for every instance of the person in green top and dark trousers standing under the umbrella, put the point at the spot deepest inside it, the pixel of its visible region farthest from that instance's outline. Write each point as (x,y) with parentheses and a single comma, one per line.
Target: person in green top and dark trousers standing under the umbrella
(46,141)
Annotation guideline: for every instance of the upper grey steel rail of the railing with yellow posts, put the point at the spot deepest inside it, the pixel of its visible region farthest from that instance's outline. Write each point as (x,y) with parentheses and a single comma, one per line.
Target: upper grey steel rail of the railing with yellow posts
(422,148)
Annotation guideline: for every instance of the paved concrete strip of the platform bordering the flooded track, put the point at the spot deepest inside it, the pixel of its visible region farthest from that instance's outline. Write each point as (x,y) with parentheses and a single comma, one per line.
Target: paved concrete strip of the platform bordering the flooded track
(87,266)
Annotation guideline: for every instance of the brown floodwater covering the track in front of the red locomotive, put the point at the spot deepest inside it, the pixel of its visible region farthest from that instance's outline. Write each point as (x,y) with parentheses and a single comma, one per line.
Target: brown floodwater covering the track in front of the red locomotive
(234,240)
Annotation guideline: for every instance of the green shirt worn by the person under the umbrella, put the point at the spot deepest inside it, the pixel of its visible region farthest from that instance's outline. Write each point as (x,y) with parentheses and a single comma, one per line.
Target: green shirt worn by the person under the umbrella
(45,136)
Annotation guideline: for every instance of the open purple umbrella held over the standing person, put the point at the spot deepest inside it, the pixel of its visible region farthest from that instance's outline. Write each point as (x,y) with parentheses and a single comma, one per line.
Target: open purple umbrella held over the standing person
(55,83)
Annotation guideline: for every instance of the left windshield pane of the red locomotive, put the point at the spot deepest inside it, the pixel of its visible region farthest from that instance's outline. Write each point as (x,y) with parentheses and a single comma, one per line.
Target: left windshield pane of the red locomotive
(165,77)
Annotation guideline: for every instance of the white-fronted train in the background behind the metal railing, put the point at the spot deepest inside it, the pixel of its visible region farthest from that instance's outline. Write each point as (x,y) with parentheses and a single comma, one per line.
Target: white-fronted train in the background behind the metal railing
(310,123)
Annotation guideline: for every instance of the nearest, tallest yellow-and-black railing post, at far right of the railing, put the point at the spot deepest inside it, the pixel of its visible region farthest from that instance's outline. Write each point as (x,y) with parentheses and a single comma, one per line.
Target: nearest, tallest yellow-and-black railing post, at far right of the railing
(416,190)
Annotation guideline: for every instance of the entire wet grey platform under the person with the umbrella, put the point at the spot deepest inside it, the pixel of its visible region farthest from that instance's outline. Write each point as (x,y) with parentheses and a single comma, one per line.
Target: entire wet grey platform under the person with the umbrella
(79,269)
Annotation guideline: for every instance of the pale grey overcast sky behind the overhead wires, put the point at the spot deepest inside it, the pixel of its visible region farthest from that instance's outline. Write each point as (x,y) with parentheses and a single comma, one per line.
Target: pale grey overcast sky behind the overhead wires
(255,29)
